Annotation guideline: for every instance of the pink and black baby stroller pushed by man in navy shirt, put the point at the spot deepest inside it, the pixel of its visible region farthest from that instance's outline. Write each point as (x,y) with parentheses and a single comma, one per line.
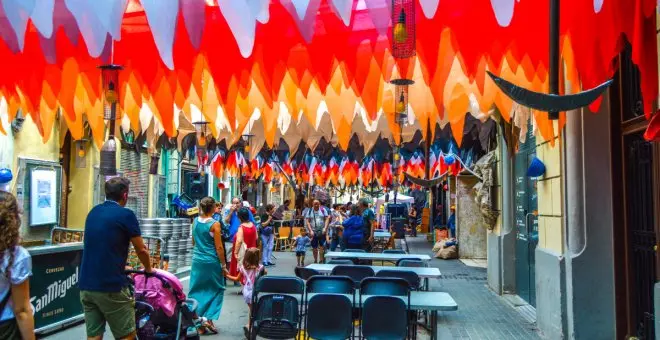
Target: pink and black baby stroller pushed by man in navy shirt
(161,308)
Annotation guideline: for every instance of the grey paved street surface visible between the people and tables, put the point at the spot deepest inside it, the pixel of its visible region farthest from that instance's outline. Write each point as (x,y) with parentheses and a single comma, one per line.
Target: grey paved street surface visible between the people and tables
(481,314)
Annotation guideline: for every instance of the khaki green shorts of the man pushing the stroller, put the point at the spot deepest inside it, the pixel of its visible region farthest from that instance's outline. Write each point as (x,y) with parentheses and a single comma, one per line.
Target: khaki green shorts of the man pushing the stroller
(115,308)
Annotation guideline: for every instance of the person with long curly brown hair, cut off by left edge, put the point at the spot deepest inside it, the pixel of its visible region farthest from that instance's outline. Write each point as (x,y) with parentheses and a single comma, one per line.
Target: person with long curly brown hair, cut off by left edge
(16,318)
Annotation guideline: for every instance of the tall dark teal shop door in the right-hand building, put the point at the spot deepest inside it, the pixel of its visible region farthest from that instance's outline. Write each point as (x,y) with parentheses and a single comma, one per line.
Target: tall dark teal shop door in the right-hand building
(526,222)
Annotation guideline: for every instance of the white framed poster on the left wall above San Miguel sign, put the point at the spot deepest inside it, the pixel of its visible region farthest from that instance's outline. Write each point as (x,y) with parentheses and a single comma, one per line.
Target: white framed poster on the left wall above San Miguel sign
(43,199)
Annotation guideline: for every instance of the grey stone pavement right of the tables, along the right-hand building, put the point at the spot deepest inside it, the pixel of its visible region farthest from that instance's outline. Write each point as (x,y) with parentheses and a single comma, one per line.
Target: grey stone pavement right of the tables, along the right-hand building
(481,314)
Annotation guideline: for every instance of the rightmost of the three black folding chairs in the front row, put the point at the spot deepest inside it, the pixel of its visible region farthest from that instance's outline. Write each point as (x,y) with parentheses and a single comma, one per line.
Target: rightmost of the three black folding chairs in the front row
(386,287)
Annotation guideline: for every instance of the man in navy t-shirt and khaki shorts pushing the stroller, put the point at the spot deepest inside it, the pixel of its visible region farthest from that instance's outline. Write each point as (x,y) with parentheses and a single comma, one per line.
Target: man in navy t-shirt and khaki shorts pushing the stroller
(104,293)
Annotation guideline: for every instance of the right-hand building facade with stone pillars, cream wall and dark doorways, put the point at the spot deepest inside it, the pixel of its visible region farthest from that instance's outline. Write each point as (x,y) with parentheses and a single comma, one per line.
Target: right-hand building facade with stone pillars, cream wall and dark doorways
(578,244)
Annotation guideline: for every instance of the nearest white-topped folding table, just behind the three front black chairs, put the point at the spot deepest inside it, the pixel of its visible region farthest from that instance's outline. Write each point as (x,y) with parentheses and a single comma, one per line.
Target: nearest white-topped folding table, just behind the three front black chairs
(420,301)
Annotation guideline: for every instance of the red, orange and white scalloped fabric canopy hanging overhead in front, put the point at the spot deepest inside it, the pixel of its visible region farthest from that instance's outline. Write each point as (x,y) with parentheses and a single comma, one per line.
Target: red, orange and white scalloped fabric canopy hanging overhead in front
(325,63)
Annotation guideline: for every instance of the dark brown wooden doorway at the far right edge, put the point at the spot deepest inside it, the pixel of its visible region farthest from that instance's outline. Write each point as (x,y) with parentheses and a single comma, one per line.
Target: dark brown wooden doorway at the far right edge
(636,202)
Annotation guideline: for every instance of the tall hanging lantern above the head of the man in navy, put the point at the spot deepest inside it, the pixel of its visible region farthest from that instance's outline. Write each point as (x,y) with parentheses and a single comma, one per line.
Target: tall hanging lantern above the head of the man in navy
(110,82)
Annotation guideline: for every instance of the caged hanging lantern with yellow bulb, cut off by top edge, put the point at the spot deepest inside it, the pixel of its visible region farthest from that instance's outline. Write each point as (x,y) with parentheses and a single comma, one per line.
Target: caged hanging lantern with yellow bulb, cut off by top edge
(403,32)
